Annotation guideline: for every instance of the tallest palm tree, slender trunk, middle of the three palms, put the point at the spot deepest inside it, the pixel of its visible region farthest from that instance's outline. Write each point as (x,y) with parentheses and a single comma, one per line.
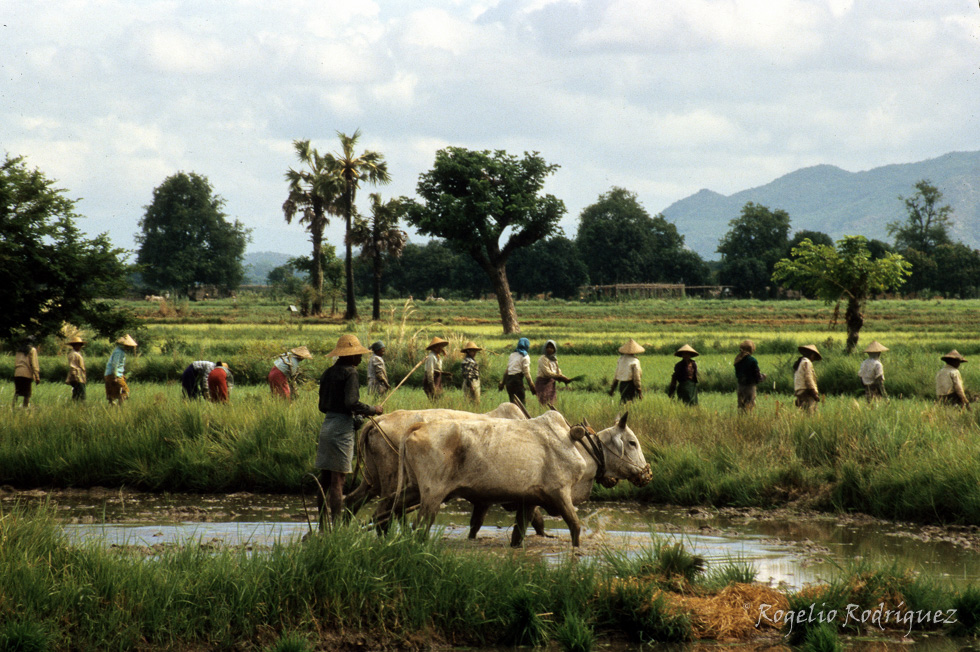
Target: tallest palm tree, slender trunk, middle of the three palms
(351,170)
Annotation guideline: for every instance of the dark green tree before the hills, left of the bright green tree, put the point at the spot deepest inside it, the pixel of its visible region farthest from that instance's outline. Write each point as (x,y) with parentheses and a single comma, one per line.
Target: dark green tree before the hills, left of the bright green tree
(749,251)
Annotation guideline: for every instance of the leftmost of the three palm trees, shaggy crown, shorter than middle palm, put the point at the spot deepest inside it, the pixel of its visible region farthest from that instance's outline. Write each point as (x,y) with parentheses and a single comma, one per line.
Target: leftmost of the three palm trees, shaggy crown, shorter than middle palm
(313,193)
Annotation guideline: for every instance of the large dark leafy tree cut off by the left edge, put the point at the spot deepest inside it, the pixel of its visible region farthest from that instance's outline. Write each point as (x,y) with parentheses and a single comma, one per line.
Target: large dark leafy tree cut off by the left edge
(51,273)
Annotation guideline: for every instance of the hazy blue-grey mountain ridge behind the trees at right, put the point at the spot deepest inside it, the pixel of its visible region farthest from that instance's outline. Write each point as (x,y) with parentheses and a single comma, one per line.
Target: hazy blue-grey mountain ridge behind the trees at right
(829,199)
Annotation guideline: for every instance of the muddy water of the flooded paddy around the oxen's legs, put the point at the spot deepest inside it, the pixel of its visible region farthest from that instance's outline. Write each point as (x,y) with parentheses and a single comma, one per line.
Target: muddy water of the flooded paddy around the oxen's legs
(786,548)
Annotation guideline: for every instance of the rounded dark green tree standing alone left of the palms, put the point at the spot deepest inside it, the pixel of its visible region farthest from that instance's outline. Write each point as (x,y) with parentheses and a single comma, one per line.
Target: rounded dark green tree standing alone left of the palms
(185,240)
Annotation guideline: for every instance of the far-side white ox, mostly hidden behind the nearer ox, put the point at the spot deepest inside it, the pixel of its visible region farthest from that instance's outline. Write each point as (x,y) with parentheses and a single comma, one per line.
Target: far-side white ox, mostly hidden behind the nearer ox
(378,451)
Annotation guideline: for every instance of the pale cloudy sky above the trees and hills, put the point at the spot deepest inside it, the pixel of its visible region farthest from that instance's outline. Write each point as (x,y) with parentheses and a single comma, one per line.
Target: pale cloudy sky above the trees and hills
(663,97)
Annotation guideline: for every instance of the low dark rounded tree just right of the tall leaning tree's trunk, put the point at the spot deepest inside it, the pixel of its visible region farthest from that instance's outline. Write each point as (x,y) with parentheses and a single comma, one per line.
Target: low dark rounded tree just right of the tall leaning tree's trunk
(550,265)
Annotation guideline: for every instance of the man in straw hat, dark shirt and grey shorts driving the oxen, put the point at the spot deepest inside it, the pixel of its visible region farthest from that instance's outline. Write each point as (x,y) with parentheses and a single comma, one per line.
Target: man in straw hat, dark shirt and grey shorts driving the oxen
(339,402)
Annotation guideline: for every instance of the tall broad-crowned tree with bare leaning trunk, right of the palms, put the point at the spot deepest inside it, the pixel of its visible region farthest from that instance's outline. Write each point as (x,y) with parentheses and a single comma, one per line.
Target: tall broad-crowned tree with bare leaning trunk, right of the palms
(472,198)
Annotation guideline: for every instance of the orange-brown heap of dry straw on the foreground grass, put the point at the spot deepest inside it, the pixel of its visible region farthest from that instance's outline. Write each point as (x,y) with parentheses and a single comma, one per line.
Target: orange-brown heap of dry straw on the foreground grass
(732,613)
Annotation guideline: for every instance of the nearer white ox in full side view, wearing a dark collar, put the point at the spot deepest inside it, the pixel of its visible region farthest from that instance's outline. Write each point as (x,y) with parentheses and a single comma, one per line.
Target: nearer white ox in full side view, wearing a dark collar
(539,462)
